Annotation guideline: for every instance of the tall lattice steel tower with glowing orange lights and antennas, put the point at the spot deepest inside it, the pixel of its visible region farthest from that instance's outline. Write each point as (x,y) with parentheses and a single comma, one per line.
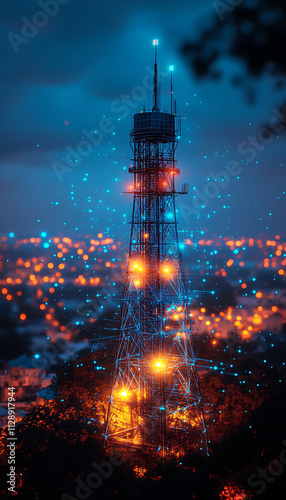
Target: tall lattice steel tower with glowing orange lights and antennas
(155,401)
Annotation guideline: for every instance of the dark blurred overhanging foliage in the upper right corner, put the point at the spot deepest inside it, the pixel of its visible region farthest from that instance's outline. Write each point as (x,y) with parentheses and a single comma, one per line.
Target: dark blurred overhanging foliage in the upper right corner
(252,32)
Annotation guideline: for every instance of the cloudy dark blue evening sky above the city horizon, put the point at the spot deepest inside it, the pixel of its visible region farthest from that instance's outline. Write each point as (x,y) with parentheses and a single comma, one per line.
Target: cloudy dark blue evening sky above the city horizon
(72,73)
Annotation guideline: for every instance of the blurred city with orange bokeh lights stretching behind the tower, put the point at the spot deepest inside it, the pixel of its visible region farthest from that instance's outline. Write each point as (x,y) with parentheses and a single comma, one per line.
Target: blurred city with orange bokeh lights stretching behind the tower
(35,289)
